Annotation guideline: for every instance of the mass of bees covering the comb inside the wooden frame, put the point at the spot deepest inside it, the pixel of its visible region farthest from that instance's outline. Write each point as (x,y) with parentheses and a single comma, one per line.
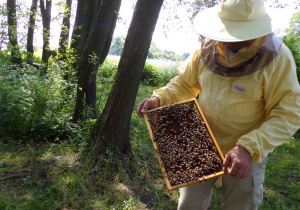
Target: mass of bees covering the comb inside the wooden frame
(184,145)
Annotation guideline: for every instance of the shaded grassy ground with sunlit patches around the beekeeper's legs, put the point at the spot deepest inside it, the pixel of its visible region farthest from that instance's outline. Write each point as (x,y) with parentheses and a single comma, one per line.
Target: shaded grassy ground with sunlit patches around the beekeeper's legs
(48,176)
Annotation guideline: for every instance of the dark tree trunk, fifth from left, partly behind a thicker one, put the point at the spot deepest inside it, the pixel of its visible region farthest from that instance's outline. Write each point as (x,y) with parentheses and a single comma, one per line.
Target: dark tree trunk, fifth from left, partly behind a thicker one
(86,10)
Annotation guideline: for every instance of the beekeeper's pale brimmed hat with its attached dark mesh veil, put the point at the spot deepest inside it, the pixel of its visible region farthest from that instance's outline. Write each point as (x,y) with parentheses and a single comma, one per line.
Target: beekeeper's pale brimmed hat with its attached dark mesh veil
(237,21)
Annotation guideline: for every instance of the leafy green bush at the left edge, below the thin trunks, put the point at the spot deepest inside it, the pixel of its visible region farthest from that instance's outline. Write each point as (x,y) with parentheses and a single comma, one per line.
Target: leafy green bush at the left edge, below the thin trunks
(34,107)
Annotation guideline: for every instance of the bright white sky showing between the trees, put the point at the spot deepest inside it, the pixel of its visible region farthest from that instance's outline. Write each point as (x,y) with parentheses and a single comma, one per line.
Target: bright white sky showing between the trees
(174,30)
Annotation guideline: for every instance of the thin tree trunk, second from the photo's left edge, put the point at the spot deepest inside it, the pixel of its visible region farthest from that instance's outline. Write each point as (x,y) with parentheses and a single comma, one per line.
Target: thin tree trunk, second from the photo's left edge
(31,27)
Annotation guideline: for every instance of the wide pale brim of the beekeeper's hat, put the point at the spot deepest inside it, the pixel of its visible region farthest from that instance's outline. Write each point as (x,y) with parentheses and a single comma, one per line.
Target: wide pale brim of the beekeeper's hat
(209,24)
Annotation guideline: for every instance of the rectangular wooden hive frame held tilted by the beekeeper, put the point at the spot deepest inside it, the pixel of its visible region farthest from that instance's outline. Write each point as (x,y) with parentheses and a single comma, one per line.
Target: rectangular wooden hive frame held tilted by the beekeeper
(208,140)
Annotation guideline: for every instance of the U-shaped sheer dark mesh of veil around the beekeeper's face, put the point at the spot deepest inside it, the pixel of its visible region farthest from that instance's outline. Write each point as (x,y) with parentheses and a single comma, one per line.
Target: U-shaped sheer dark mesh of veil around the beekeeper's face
(264,55)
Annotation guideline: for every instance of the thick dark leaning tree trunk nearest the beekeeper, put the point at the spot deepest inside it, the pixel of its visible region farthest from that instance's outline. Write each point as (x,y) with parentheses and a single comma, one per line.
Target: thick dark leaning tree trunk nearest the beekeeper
(112,127)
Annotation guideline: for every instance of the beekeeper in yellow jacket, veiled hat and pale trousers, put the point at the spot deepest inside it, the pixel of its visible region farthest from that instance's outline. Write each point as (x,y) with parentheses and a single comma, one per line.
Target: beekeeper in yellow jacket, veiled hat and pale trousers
(248,91)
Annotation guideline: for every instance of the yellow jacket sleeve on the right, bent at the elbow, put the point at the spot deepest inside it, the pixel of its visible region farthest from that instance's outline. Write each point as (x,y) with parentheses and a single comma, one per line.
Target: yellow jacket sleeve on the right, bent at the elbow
(282,106)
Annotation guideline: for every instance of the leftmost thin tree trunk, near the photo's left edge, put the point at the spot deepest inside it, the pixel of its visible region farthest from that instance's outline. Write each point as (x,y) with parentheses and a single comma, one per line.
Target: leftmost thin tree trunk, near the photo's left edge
(12,32)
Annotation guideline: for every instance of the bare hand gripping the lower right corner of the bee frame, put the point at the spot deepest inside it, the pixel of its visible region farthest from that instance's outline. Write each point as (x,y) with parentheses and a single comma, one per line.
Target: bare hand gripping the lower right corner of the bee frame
(240,161)
